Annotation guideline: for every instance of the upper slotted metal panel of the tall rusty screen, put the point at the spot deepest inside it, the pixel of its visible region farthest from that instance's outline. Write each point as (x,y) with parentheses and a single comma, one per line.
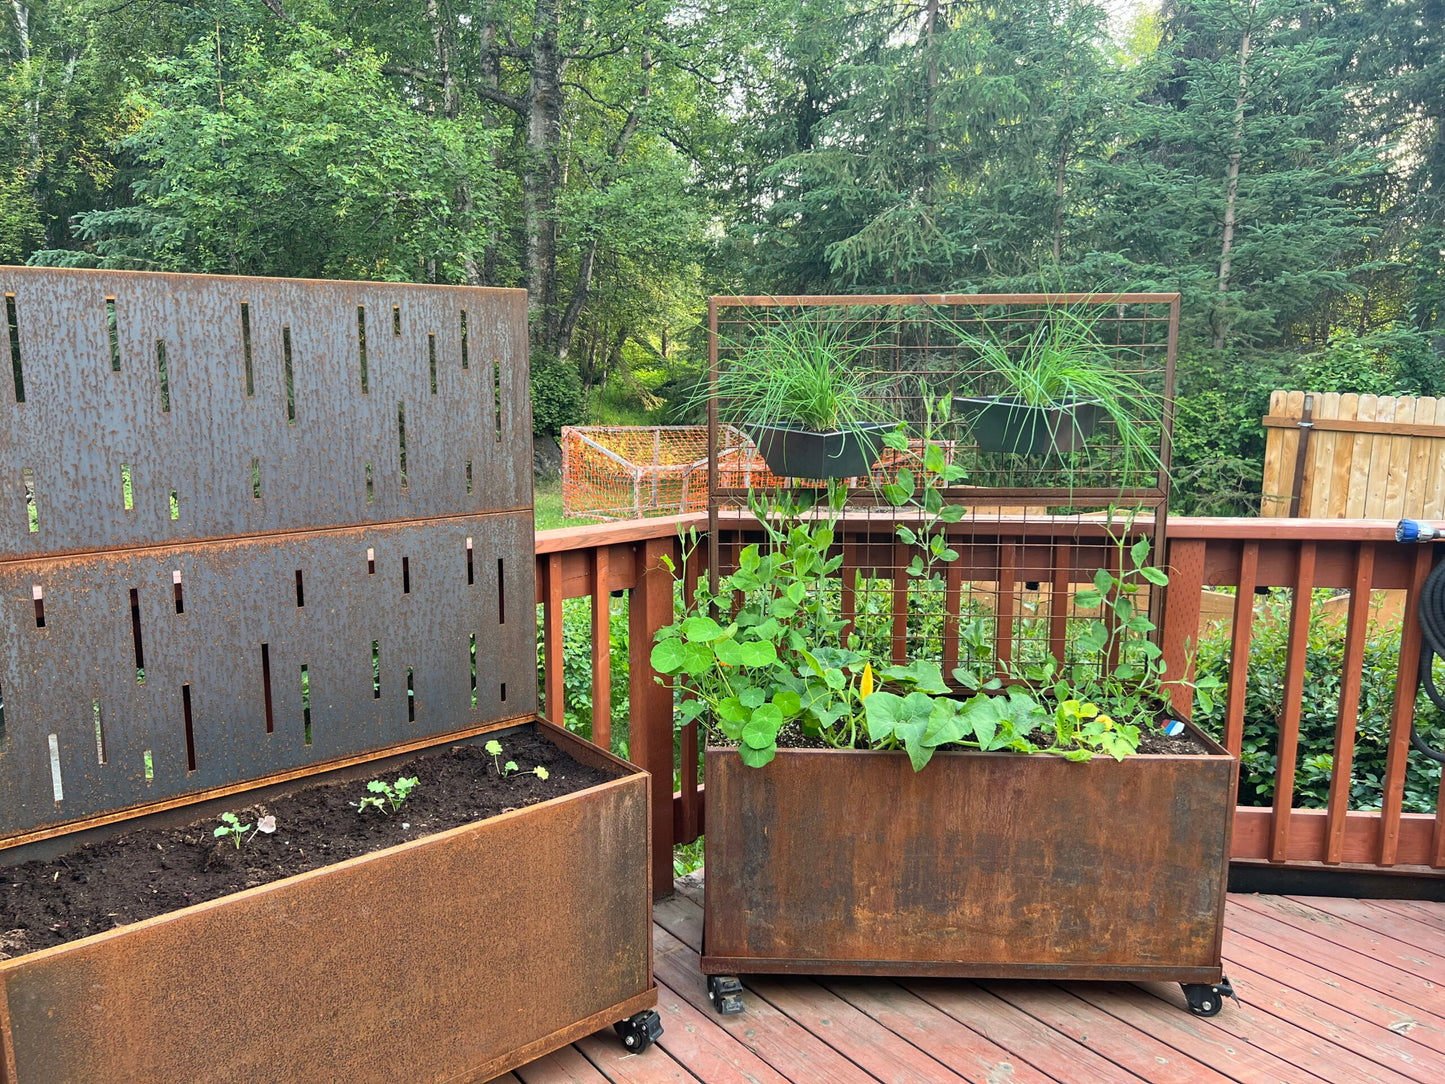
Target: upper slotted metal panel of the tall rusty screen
(272,404)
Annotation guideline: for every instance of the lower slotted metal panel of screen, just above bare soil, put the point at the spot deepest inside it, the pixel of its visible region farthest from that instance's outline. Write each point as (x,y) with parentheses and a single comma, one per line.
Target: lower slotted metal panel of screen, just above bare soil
(243,635)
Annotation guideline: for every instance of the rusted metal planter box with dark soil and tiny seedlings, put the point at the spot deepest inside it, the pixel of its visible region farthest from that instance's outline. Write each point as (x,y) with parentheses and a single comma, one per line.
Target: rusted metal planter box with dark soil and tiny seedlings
(453,958)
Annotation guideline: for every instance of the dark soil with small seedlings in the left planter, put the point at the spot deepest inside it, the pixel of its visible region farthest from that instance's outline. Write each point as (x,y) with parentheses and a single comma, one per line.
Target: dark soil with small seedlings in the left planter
(157,871)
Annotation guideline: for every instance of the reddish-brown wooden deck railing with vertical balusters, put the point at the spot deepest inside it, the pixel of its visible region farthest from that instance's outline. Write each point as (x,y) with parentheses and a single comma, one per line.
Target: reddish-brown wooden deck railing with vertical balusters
(1246,554)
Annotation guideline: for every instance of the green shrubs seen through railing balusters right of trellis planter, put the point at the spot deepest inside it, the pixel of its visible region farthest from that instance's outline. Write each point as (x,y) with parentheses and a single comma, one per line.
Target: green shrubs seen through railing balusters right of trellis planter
(1320,709)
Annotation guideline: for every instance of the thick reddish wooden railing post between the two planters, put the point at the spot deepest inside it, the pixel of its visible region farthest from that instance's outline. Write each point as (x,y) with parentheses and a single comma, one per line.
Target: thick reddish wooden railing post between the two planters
(651,734)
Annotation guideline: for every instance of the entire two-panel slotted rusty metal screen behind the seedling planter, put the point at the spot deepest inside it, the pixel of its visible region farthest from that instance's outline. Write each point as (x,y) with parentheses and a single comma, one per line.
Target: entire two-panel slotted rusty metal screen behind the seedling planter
(251,528)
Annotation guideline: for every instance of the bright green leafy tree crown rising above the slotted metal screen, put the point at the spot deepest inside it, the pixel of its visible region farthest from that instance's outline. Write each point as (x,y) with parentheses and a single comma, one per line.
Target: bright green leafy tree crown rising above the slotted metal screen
(313,165)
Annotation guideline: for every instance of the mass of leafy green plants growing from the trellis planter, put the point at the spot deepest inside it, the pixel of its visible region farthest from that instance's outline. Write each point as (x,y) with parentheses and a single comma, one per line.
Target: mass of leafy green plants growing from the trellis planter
(765,653)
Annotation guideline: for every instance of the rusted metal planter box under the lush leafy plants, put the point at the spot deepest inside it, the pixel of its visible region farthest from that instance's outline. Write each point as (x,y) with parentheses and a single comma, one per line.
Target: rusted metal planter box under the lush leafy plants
(983,865)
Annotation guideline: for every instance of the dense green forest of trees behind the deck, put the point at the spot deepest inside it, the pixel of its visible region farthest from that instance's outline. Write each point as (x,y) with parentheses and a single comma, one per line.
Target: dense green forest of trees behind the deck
(1280,163)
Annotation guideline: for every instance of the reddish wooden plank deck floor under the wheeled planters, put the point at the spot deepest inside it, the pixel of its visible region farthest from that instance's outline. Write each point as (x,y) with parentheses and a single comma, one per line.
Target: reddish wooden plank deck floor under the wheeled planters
(1333,991)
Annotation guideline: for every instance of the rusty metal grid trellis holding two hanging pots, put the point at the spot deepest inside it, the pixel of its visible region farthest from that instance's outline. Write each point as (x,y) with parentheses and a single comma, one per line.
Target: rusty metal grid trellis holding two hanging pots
(1035,525)
